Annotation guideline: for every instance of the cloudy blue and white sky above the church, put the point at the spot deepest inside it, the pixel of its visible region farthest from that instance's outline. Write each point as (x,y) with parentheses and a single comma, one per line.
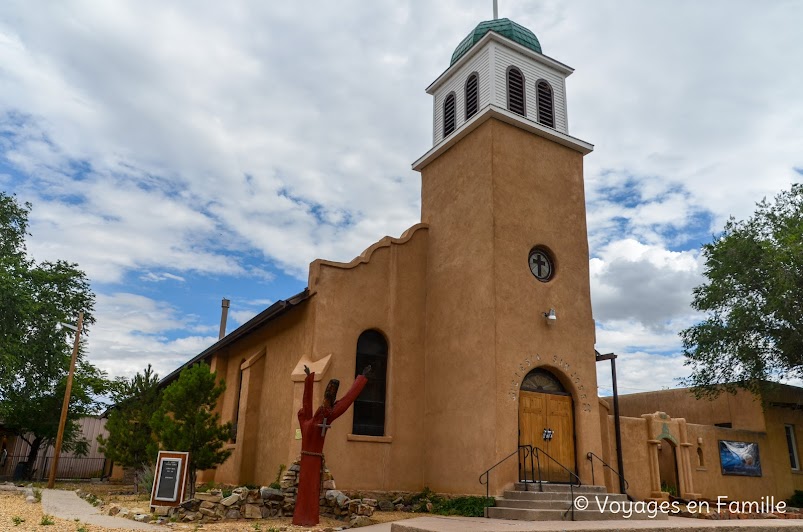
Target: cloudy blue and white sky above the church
(182,152)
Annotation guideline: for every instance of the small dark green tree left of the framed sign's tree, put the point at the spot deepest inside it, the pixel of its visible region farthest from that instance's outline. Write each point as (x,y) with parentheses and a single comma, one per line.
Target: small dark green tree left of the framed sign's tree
(131,442)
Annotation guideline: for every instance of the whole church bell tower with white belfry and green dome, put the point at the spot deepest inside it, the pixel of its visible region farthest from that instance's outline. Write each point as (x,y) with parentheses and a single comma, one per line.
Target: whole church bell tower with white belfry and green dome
(507,266)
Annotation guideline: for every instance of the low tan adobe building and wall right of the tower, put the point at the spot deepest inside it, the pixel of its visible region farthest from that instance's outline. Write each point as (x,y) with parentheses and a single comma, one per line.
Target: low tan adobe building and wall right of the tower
(672,438)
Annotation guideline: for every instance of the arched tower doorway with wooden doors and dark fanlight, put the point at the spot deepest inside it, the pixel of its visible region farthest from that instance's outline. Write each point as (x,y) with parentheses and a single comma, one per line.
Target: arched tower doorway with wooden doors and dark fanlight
(546,421)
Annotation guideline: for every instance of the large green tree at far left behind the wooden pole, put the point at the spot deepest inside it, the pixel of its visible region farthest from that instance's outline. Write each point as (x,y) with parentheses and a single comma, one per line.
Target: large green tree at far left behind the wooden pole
(35,351)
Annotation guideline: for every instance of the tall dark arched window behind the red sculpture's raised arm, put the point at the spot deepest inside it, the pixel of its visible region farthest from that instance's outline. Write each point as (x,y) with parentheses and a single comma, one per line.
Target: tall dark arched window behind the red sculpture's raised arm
(369,408)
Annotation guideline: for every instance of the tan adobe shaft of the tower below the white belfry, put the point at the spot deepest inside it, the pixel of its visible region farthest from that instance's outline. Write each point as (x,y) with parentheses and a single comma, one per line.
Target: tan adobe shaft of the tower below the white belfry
(489,200)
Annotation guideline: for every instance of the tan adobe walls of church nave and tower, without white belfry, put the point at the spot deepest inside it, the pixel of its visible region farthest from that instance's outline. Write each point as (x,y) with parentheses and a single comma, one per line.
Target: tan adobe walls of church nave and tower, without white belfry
(464,321)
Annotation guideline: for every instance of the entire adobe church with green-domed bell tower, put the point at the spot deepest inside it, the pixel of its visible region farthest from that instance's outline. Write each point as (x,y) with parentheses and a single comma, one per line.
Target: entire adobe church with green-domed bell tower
(477,321)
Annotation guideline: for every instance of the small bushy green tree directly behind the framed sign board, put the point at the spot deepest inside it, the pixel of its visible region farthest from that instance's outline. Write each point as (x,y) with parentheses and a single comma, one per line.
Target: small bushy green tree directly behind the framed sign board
(186,420)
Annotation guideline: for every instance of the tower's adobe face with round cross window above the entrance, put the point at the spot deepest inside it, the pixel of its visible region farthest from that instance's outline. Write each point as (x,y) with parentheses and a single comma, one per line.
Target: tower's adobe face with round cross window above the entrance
(539,199)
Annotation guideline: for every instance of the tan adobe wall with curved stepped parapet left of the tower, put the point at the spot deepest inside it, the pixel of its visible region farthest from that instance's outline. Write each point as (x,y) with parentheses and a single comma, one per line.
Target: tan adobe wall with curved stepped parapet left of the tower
(383,289)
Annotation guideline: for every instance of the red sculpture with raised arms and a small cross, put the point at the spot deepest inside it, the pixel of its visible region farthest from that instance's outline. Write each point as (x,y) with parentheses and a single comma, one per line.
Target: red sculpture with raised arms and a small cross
(313,433)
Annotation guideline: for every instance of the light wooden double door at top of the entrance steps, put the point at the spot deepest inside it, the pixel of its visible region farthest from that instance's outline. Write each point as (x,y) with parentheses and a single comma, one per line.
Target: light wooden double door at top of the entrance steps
(545,411)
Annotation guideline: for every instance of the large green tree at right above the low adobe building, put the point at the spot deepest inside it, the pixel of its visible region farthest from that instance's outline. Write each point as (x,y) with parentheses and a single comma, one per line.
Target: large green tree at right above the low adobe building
(753,299)
